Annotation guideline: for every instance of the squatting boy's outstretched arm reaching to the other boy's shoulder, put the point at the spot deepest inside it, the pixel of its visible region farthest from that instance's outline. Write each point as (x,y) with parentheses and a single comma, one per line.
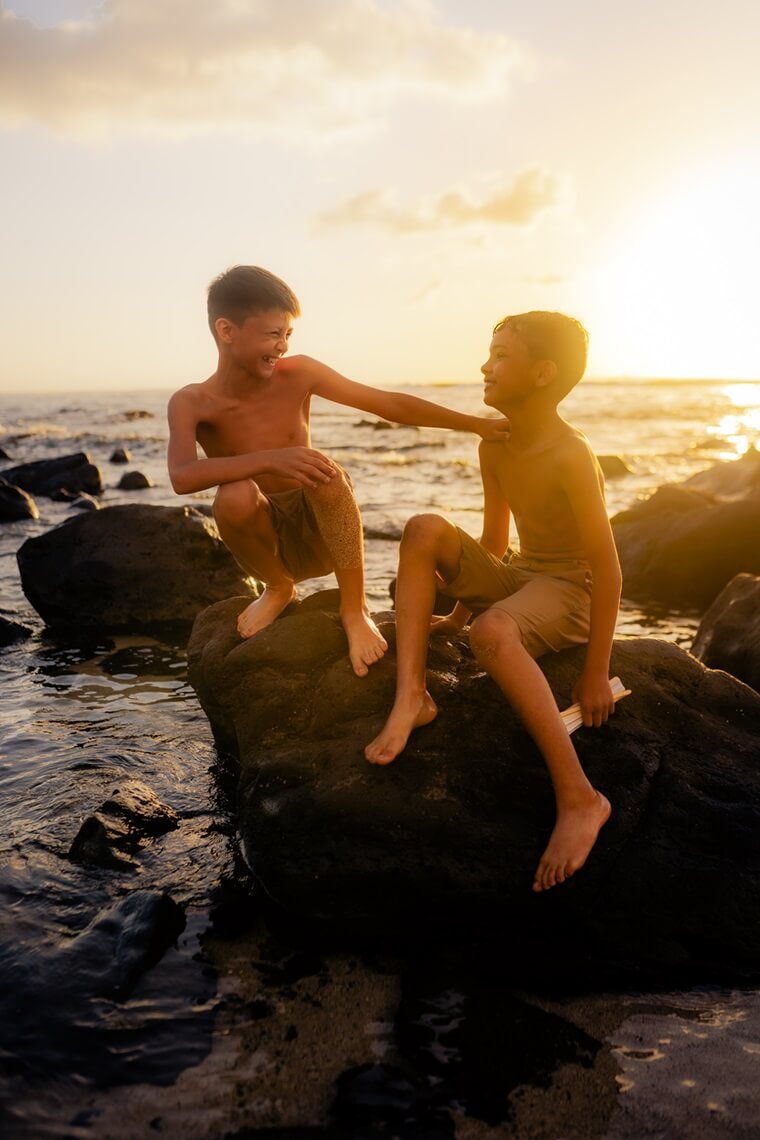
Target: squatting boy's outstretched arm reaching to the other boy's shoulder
(397,406)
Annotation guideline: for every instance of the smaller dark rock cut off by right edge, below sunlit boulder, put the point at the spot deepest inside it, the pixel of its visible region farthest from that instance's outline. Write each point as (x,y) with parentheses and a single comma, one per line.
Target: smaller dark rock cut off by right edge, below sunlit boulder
(729,637)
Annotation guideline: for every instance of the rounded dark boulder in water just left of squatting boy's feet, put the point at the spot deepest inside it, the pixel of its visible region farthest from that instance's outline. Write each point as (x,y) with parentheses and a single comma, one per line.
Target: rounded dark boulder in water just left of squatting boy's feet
(128,568)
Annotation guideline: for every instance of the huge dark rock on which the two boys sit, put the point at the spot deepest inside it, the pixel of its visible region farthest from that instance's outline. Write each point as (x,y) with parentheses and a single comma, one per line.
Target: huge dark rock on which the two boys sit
(452,833)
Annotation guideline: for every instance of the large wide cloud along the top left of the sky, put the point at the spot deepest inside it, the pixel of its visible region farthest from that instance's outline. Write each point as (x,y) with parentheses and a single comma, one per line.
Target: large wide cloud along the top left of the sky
(283,66)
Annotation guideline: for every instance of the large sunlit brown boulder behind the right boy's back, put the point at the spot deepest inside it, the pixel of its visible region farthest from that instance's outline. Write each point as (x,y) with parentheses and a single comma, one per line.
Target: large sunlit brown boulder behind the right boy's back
(688,541)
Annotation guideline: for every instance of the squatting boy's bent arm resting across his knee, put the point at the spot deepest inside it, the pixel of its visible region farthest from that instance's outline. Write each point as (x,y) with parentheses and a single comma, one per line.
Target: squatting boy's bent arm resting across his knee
(190,474)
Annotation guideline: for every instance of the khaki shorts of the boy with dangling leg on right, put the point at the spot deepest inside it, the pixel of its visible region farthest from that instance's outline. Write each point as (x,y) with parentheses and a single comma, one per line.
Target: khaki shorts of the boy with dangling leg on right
(549,599)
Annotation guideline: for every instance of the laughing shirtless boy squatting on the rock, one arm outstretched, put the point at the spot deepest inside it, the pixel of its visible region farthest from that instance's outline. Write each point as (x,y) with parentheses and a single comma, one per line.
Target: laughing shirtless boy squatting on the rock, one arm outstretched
(284,510)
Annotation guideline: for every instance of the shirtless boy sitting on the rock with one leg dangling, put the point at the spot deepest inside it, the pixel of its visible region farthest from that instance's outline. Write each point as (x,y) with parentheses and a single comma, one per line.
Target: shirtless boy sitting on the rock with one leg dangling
(561,590)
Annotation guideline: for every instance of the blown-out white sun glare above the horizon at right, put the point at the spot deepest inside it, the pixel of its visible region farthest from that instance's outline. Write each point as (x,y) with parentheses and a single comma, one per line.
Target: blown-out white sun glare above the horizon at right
(680,297)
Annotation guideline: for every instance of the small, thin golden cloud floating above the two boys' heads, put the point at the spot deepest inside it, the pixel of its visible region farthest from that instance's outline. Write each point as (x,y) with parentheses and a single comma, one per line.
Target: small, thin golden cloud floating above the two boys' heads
(532,192)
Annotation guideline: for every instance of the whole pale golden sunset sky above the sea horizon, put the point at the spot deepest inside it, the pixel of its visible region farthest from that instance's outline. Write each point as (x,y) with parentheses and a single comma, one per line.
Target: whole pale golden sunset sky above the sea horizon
(414,169)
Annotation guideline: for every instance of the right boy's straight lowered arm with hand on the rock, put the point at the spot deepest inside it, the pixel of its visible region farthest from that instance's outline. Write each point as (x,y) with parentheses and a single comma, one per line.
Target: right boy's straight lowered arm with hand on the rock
(582,478)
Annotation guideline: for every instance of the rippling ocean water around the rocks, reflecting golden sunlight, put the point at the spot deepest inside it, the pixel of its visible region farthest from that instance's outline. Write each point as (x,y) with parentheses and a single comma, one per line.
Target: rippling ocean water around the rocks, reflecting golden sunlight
(195,1049)
